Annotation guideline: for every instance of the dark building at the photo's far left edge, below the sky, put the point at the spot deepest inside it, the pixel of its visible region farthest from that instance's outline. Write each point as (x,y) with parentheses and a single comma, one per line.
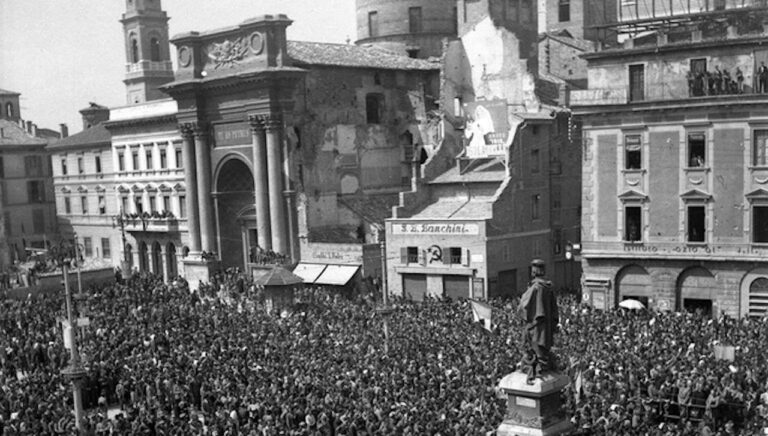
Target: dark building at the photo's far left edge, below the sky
(25,180)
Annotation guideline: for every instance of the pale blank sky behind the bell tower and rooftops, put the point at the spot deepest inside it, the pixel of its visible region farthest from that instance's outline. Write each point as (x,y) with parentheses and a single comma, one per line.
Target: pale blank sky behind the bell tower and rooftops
(62,54)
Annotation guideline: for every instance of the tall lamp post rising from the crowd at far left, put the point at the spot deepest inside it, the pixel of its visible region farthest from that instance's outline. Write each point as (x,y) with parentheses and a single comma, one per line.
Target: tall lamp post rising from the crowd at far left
(63,254)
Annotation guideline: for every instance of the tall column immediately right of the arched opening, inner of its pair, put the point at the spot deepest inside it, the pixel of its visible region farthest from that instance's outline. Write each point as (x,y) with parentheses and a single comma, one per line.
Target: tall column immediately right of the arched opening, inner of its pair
(260,181)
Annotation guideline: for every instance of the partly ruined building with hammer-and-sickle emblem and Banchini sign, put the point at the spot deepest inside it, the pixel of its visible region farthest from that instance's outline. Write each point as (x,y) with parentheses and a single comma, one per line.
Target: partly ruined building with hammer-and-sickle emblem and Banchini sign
(472,223)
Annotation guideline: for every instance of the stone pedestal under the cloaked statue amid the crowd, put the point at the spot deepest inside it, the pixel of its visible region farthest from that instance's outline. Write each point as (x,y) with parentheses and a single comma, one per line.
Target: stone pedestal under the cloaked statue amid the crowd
(535,409)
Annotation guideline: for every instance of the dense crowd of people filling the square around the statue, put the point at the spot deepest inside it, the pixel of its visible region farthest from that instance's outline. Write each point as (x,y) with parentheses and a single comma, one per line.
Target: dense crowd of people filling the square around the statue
(176,362)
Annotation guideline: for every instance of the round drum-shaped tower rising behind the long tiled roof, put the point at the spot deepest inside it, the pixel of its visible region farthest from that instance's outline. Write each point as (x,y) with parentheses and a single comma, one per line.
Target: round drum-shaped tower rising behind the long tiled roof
(415,28)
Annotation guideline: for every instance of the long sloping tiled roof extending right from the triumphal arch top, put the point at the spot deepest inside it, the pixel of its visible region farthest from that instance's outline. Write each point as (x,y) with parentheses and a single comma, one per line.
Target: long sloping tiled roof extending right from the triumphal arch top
(347,55)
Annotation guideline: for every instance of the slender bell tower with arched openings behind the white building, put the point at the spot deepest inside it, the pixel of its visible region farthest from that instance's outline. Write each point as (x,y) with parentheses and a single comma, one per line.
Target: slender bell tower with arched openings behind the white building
(147,50)
